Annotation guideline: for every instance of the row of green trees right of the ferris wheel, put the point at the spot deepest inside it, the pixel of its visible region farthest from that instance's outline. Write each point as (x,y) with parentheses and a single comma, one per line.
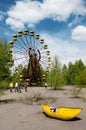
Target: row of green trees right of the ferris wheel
(71,74)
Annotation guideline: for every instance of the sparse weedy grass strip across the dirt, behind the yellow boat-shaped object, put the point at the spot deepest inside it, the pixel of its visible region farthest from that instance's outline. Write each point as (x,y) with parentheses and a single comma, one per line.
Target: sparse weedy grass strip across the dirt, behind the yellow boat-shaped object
(33,99)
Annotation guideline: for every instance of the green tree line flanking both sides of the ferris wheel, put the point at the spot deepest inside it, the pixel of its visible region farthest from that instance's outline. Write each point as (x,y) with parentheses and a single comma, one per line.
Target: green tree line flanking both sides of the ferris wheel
(58,76)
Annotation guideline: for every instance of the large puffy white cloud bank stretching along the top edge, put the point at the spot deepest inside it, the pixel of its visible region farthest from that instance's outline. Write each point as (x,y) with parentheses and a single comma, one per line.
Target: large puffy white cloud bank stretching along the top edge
(31,12)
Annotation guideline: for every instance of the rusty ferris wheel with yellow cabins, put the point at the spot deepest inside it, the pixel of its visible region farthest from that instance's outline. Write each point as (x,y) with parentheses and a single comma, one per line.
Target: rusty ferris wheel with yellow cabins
(30,51)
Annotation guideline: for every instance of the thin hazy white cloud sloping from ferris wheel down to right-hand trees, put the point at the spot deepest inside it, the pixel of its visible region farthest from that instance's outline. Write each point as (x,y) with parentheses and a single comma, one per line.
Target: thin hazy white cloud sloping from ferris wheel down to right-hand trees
(65,50)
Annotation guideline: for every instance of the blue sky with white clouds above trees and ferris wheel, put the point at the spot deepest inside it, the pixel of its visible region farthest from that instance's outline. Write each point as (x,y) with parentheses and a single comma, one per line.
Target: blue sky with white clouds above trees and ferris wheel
(62,24)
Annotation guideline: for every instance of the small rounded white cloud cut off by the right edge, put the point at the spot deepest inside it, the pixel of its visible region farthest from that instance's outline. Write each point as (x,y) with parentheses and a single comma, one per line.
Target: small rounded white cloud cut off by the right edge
(79,33)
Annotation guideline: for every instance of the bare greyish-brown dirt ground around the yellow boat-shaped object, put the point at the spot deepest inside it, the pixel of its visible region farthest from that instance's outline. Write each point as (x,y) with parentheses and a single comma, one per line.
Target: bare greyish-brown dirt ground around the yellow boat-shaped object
(25,115)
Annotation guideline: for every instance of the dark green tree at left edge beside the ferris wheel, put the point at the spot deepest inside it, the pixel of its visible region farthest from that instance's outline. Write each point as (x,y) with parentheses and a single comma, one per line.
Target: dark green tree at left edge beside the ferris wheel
(5,57)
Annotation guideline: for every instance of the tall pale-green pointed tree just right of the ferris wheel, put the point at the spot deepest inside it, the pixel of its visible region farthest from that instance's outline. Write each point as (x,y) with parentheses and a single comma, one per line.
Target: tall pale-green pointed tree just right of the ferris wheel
(55,78)
